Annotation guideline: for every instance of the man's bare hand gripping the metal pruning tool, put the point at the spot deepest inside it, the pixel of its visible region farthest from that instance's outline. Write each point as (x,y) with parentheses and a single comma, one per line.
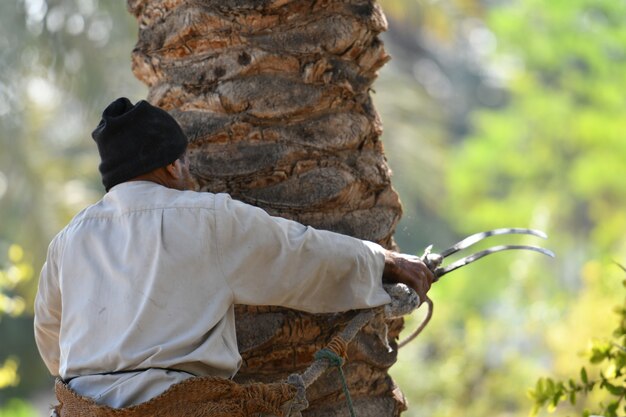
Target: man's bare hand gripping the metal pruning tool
(408,270)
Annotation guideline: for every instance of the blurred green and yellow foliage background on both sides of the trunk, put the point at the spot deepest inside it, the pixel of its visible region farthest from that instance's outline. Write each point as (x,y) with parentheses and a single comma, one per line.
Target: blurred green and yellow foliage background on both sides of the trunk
(496,113)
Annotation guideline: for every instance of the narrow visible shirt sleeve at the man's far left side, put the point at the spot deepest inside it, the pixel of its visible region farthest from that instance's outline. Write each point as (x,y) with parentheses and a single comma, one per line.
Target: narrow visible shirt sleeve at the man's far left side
(48,312)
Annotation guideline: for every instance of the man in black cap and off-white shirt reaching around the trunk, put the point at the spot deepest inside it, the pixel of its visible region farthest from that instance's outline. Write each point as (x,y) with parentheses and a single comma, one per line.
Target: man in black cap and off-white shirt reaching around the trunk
(137,292)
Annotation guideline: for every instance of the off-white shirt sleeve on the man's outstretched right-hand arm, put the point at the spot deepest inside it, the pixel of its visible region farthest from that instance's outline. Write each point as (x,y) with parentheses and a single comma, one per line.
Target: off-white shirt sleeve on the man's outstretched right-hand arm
(269,260)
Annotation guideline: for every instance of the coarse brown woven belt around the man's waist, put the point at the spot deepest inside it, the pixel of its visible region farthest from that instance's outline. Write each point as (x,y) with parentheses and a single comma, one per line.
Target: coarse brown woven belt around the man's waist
(193,397)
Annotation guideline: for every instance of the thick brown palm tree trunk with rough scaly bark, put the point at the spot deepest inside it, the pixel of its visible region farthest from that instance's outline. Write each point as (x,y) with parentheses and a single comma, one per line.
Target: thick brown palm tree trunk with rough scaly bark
(275,98)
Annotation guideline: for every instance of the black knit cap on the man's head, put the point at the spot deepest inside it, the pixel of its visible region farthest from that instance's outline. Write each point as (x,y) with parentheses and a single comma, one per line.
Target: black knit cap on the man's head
(136,139)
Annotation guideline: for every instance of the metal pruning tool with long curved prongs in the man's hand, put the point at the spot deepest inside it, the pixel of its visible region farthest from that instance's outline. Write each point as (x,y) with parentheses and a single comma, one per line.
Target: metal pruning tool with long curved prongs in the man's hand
(434,261)
